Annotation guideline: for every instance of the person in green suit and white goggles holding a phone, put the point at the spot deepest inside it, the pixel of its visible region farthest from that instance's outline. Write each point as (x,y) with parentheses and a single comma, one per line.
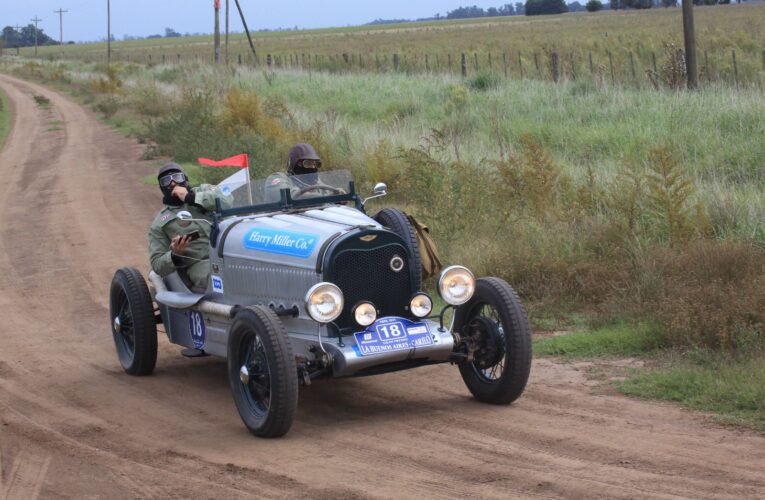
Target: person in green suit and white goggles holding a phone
(182,245)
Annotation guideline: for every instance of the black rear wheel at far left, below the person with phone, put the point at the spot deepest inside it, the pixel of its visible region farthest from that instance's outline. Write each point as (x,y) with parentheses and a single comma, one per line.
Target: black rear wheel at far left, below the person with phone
(134,326)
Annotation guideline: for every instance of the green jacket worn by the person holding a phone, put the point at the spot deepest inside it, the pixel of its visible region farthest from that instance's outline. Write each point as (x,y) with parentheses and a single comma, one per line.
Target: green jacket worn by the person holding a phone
(166,227)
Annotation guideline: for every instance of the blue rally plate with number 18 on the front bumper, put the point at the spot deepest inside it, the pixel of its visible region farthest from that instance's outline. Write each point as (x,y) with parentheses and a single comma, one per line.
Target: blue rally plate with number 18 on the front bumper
(392,334)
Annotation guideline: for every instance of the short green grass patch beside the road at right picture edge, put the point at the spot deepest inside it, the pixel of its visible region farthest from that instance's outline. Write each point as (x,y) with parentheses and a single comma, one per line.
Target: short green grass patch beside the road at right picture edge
(732,389)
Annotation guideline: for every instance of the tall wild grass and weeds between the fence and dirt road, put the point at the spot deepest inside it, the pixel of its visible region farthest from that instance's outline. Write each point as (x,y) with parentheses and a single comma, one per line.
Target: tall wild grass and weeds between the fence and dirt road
(619,202)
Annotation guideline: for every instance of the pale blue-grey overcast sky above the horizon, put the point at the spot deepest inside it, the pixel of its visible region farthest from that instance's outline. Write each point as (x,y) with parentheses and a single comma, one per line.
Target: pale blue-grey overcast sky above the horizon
(86,19)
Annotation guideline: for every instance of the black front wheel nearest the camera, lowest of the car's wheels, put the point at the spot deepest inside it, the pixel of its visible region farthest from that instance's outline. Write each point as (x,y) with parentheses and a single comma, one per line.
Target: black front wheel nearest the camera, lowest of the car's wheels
(267,401)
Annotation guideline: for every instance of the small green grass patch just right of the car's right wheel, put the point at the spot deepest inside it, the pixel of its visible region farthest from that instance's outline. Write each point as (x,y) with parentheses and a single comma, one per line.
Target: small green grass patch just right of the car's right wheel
(621,339)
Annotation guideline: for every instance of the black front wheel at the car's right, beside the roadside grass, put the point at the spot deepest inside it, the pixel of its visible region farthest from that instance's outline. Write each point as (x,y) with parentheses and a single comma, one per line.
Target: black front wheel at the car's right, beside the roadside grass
(501,369)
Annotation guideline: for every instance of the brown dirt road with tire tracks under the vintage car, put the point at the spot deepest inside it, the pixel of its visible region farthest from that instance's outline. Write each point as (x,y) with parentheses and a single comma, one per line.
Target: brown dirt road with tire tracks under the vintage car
(73,425)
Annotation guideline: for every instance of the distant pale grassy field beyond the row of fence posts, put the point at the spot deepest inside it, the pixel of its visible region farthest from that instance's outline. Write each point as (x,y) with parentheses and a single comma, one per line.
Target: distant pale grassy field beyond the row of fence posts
(516,46)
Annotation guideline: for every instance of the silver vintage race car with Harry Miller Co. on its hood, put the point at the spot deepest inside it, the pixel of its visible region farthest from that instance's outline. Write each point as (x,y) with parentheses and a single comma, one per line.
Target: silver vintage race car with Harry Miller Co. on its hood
(303,285)
